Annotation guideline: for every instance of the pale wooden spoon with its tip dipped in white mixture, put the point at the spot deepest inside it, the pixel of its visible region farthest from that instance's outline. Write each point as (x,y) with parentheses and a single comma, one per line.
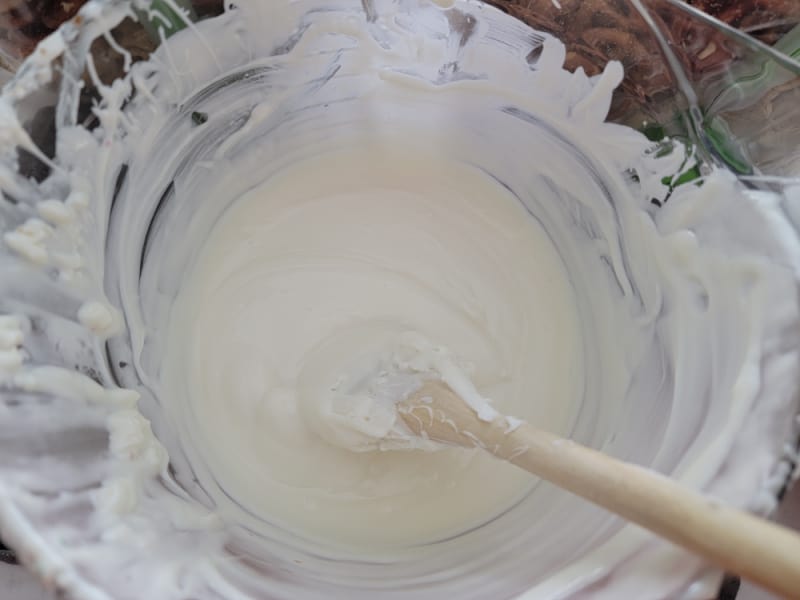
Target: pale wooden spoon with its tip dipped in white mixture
(739,542)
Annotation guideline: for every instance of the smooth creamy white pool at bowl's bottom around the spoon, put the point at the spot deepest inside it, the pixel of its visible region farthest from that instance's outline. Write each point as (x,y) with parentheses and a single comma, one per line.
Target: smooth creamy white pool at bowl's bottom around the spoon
(312,274)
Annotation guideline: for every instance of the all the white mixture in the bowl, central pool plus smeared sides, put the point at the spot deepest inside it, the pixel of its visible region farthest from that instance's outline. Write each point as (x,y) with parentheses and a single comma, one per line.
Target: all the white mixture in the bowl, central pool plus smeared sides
(413,169)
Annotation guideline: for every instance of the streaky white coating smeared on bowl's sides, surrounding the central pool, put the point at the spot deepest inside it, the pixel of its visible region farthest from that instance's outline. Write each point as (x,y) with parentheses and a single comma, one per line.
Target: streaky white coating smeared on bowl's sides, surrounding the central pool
(98,509)
